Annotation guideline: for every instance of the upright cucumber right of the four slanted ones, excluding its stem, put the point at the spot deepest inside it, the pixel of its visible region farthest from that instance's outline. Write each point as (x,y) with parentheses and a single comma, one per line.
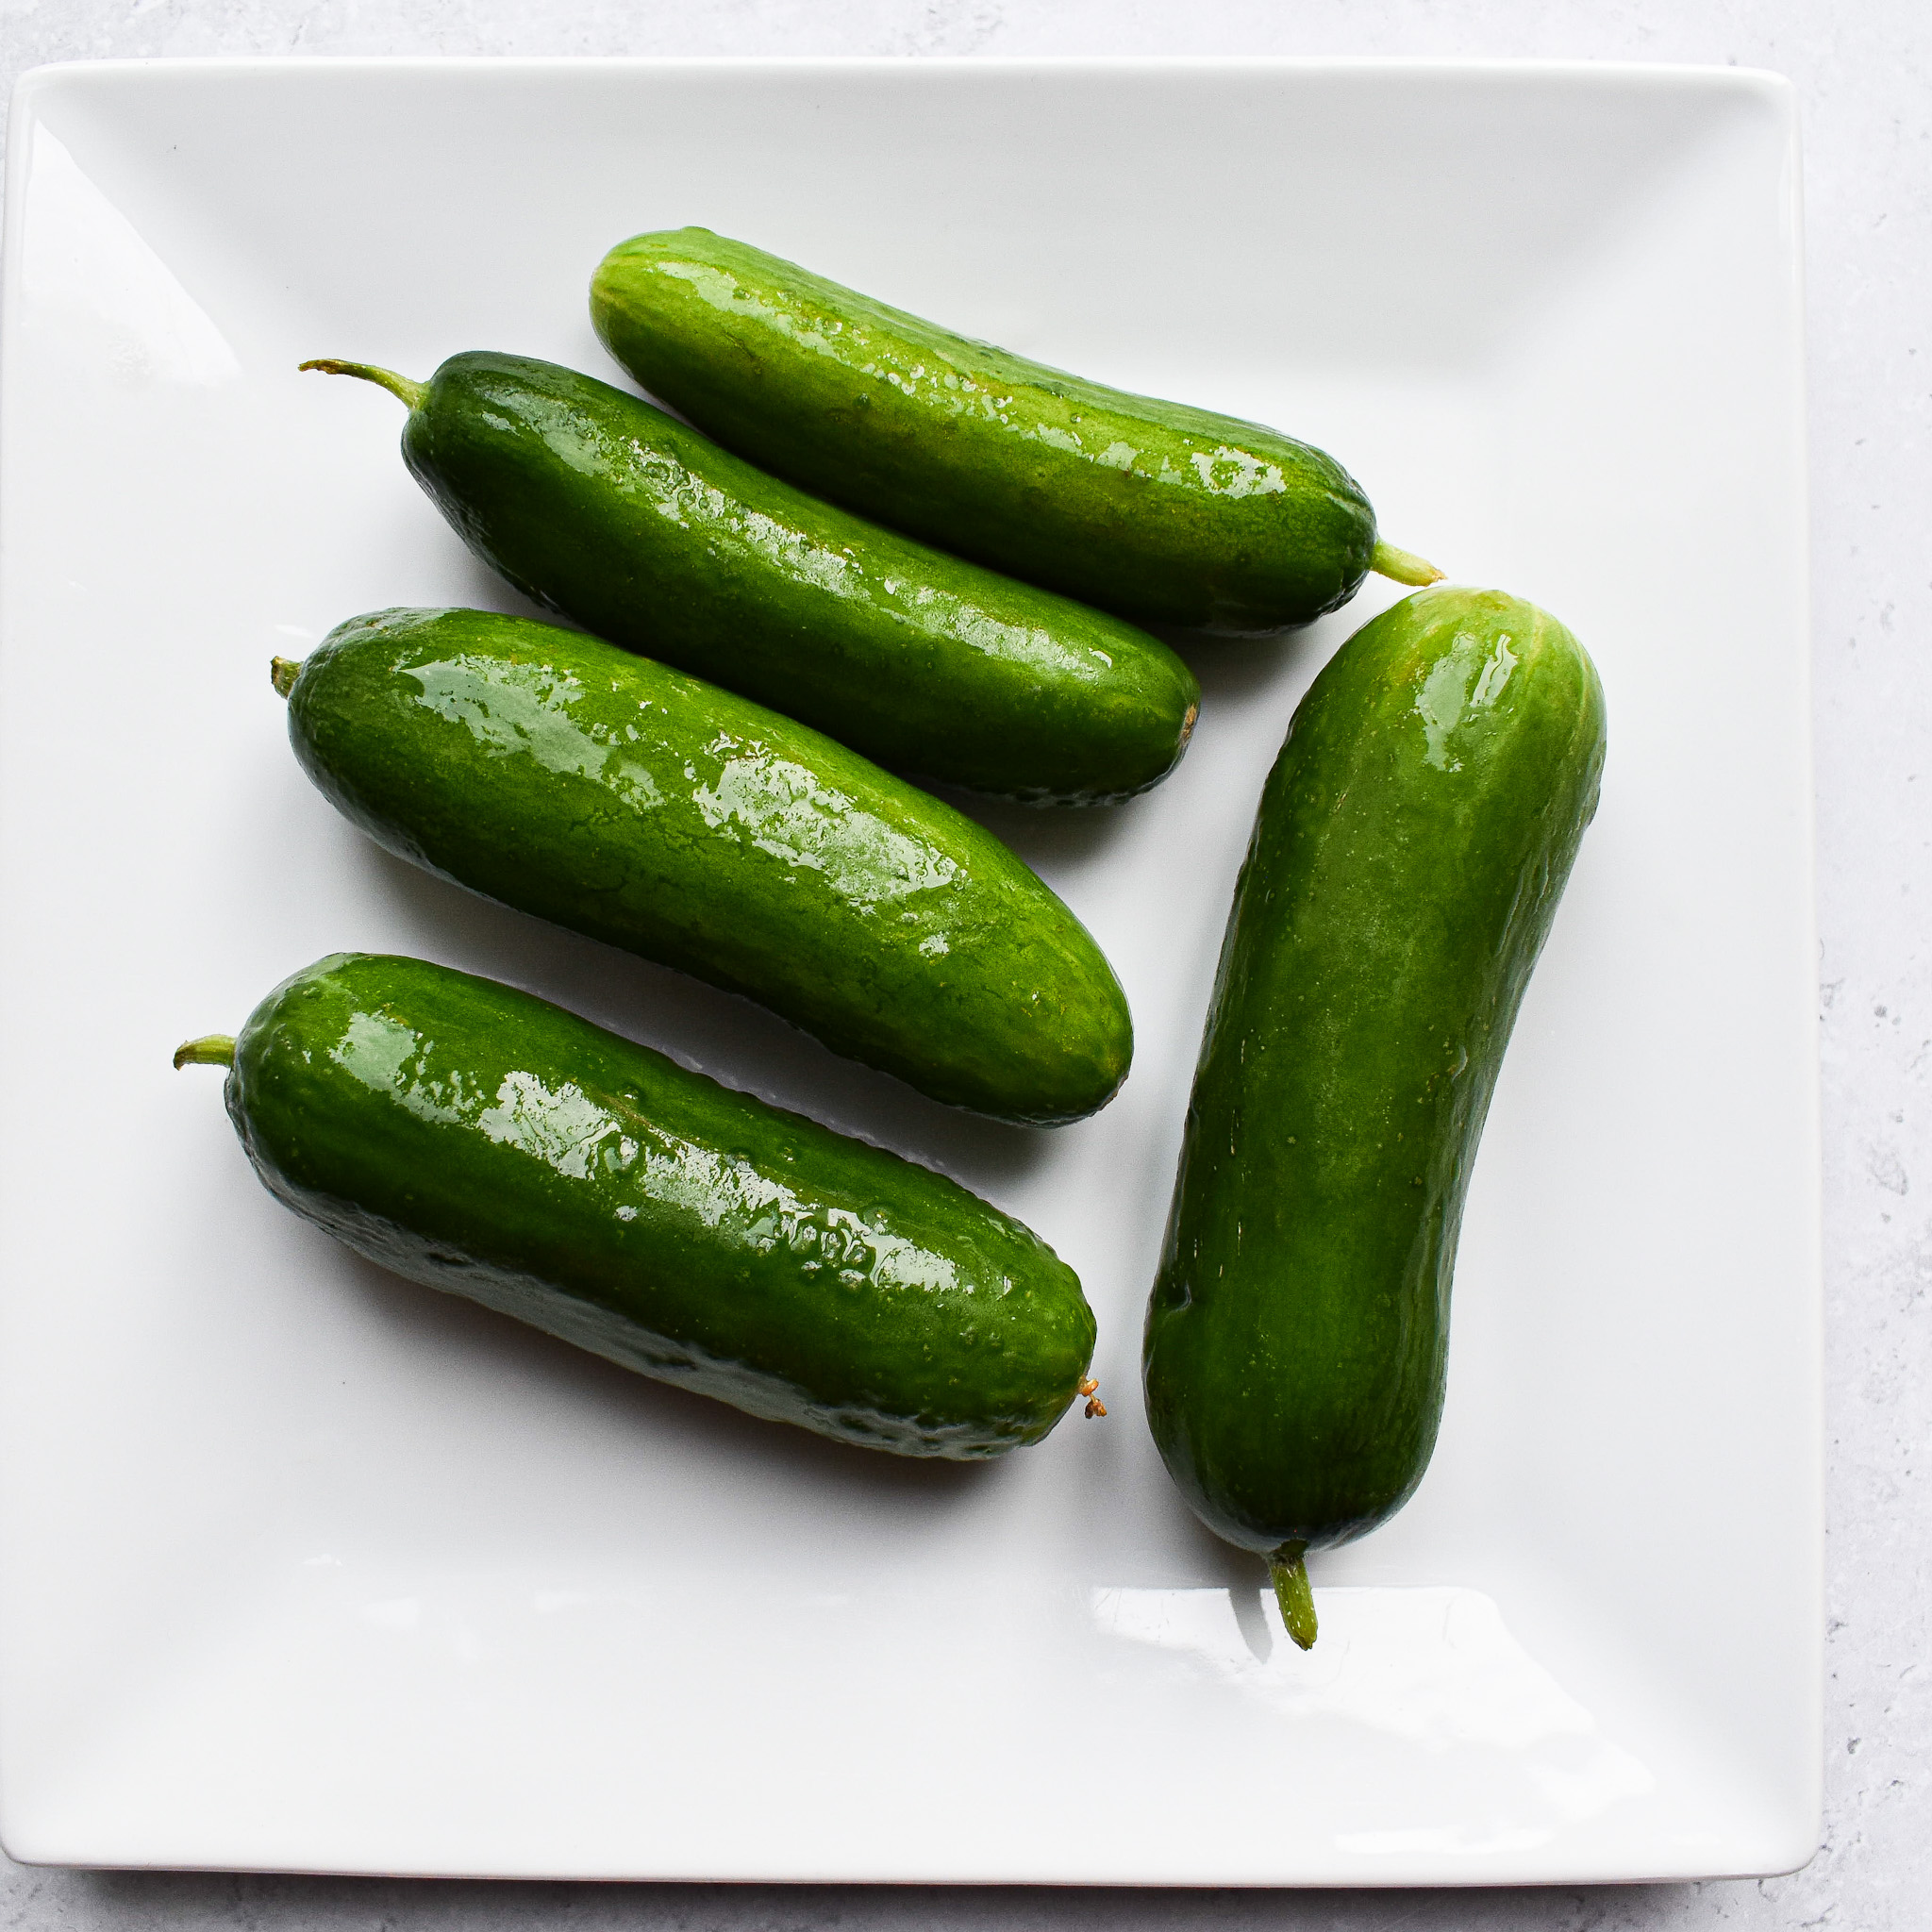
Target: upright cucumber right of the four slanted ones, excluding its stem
(1407,861)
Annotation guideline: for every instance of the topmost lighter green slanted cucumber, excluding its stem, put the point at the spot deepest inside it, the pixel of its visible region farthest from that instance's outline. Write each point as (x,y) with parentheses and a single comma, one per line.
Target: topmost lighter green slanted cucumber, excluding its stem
(1156,511)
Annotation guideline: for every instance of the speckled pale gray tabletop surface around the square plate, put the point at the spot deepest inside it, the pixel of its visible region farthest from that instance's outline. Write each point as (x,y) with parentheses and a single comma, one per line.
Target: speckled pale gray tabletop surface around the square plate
(1865,82)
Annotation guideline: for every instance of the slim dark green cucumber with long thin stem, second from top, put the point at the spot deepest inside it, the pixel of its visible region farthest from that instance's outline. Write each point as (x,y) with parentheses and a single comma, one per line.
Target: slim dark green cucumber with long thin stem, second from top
(646,532)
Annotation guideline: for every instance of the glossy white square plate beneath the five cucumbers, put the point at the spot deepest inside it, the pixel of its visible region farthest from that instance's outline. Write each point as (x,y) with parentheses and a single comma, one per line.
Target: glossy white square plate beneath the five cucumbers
(312,1568)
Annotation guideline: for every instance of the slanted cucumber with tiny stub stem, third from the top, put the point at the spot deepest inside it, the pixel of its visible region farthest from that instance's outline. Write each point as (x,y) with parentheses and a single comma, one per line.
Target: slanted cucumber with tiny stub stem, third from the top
(640,807)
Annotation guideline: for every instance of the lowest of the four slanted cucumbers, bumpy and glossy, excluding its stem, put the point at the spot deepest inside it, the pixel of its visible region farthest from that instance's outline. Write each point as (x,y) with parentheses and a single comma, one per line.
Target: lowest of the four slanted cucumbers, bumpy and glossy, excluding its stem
(496,1147)
